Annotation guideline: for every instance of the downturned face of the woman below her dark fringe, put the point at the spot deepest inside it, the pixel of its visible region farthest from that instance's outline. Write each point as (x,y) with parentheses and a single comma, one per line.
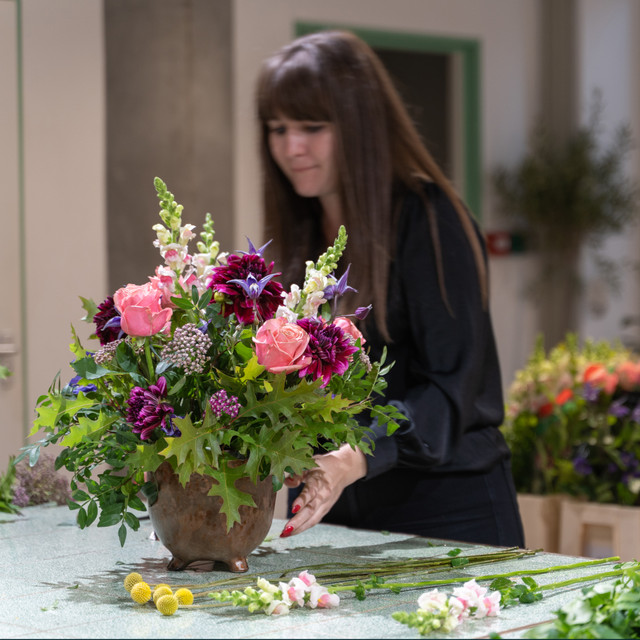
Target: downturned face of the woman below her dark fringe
(305,152)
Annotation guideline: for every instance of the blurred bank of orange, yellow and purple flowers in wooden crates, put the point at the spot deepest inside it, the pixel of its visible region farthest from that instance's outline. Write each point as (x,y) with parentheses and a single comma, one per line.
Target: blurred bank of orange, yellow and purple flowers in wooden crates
(573,422)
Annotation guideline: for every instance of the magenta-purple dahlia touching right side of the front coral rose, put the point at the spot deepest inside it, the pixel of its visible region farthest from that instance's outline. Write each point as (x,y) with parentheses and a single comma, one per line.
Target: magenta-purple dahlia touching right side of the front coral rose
(330,349)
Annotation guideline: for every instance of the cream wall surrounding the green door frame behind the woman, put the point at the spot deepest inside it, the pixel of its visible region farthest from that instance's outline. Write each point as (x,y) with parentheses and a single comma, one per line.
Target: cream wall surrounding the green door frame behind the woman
(509,35)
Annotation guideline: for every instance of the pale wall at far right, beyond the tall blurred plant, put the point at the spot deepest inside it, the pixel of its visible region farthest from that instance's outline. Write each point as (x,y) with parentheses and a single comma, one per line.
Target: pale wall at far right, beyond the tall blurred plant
(608,54)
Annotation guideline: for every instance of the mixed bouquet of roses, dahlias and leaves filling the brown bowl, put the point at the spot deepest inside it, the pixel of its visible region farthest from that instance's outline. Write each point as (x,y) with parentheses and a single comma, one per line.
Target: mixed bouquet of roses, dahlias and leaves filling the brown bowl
(212,367)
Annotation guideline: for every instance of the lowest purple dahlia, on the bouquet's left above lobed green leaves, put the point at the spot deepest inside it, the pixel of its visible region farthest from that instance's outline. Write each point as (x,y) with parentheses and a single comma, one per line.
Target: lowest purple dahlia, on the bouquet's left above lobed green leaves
(147,411)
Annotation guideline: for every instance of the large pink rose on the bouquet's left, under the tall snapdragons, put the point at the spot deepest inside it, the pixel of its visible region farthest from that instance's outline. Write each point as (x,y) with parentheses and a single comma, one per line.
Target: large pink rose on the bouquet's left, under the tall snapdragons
(141,310)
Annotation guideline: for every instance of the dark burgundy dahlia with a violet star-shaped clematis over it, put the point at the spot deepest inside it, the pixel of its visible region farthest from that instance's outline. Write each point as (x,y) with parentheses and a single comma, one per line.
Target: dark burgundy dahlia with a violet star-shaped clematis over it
(246,280)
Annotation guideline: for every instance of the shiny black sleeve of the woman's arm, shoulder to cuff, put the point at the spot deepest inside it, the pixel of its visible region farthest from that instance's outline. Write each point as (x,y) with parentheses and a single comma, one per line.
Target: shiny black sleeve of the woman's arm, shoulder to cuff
(447,380)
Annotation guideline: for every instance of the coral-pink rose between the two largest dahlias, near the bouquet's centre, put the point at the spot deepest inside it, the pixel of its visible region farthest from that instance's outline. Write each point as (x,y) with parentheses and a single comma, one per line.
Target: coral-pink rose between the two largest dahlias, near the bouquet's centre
(280,346)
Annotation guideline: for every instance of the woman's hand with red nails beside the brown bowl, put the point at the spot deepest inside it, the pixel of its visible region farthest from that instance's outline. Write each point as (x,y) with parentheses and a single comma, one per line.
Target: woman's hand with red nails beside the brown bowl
(322,486)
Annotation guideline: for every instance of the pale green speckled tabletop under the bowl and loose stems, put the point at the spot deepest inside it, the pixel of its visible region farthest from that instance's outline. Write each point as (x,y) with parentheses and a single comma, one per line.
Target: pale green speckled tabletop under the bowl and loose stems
(58,581)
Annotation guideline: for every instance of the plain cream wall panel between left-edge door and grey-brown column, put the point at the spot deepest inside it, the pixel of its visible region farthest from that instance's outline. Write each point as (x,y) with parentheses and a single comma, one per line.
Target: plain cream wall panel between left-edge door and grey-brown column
(64,172)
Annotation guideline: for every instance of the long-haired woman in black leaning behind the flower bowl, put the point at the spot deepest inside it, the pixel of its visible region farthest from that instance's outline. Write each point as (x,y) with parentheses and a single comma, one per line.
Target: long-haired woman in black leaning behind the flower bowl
(339,148)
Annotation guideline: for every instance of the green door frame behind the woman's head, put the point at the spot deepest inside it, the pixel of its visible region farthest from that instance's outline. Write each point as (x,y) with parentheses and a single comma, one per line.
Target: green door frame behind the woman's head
(469,51)
